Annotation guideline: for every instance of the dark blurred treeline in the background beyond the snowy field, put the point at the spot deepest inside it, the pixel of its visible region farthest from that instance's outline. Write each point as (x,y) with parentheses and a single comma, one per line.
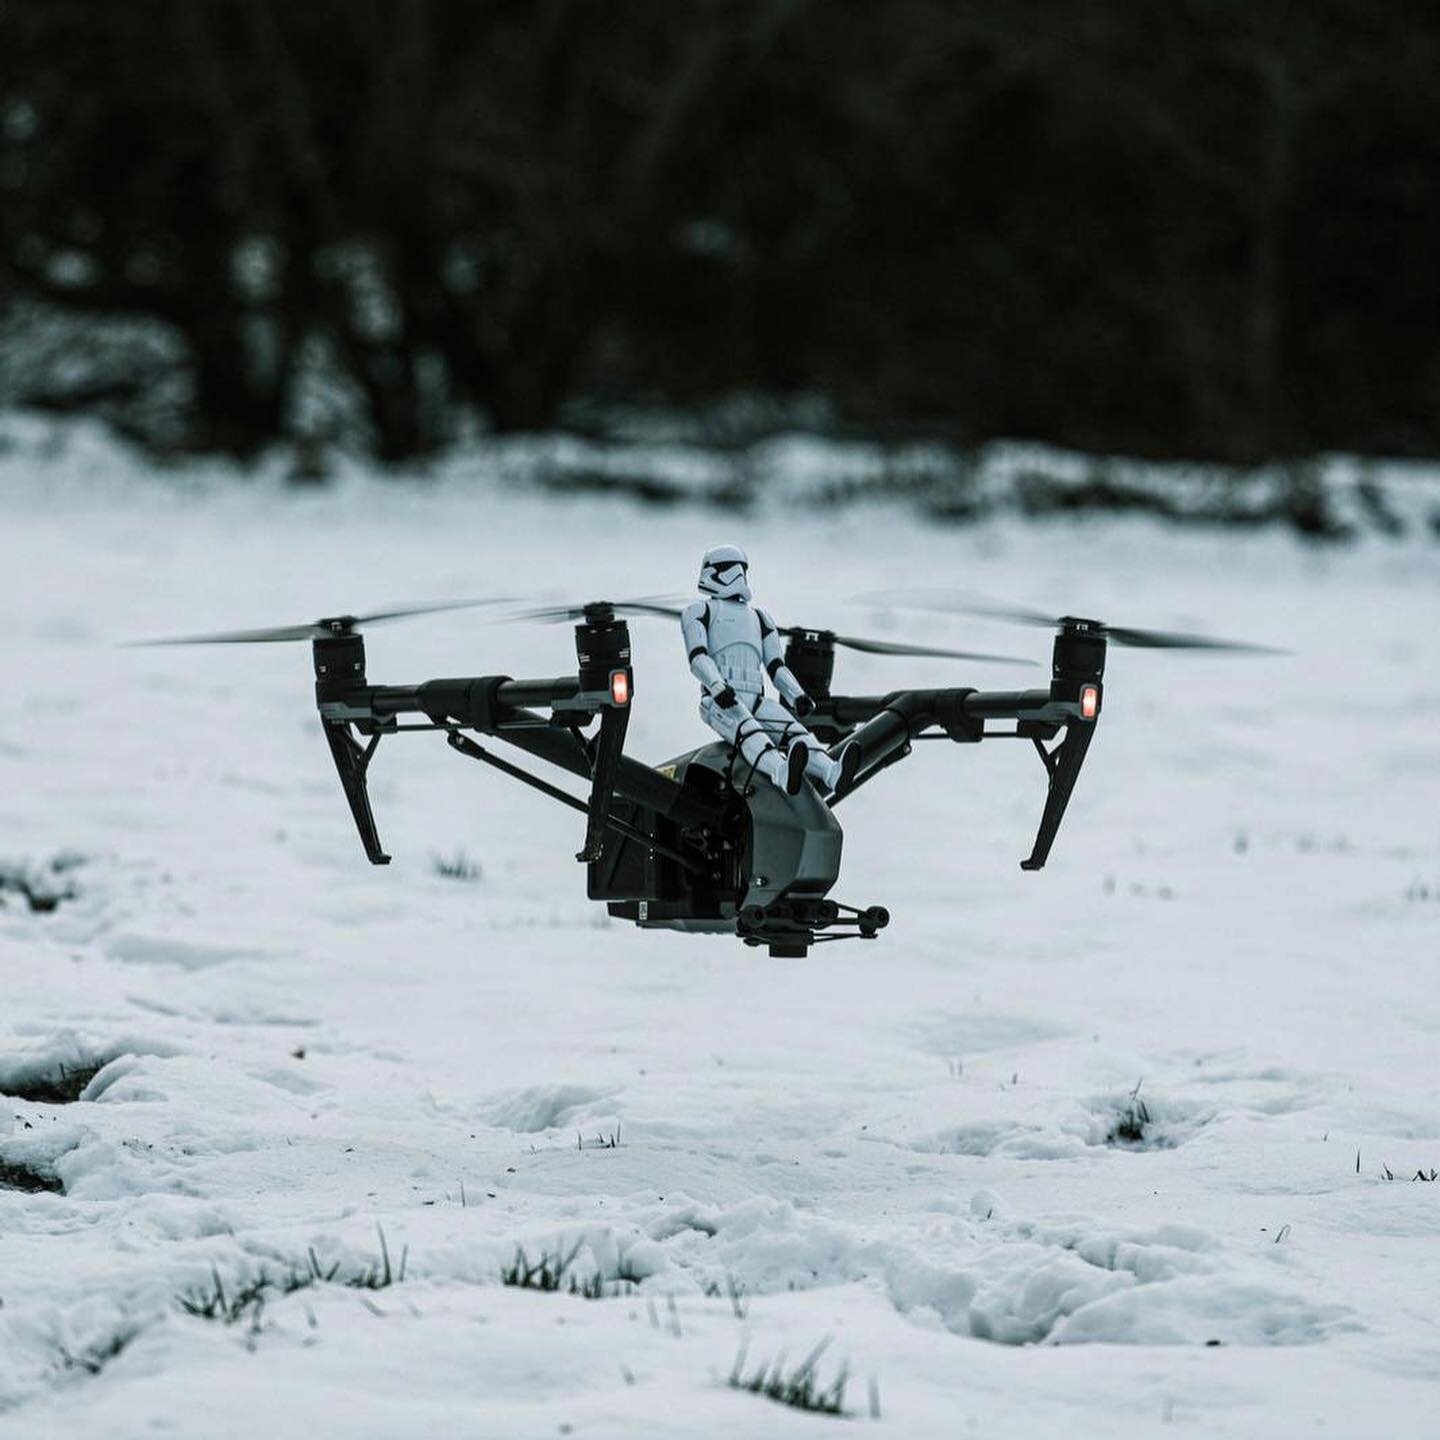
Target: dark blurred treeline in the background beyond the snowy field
(1182,228)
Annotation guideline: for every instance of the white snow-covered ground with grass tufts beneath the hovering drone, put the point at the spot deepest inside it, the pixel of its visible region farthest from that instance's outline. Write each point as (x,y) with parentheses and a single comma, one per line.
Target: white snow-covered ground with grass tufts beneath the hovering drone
(917,1148)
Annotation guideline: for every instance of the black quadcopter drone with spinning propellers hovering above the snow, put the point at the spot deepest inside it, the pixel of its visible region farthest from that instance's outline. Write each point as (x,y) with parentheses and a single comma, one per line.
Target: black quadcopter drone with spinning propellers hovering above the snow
(702,843)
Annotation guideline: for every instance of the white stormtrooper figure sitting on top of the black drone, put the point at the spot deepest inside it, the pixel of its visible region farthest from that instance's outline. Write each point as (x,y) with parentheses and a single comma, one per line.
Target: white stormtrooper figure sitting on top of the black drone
(732,649)
